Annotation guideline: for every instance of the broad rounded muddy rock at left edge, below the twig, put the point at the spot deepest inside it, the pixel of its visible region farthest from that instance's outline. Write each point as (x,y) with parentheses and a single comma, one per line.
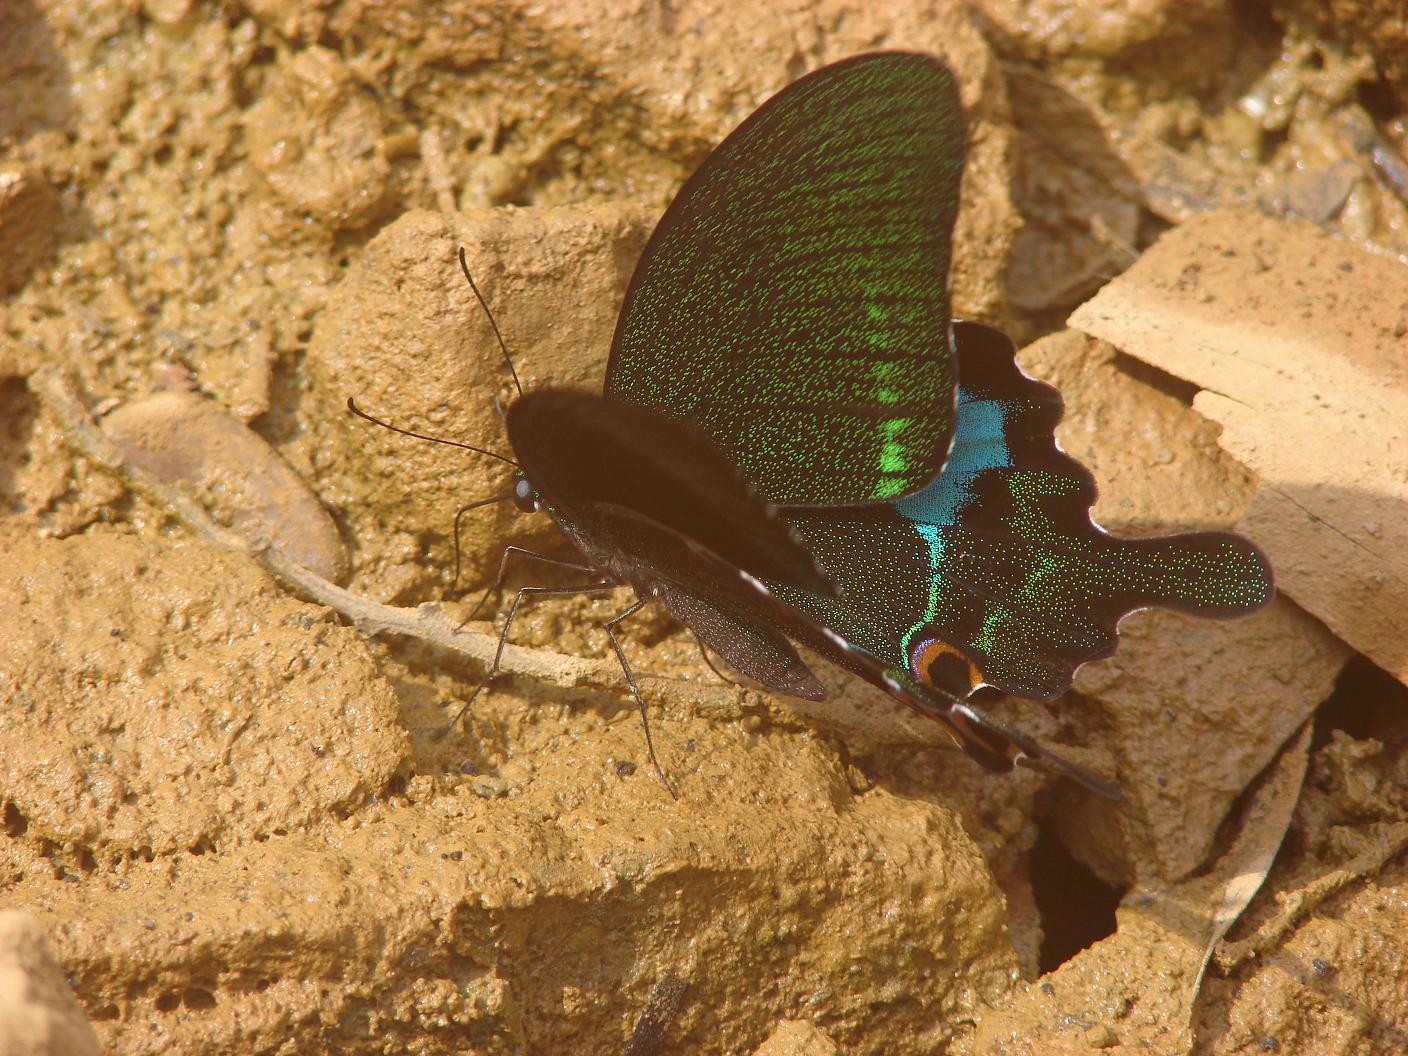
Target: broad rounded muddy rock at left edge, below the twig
(163,699)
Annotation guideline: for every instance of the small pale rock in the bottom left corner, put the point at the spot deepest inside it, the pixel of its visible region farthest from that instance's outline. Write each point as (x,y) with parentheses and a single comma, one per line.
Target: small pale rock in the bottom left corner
(39,1016)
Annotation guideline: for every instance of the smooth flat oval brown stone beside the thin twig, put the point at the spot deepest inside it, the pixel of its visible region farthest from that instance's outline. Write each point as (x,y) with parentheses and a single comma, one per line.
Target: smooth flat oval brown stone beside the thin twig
(181,437)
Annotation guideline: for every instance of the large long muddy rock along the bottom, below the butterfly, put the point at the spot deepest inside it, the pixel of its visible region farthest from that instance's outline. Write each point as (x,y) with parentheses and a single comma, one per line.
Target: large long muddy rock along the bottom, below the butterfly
(540,920)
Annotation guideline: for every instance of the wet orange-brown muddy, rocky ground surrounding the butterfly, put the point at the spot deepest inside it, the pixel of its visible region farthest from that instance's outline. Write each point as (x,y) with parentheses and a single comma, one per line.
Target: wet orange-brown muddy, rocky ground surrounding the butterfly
(230,820)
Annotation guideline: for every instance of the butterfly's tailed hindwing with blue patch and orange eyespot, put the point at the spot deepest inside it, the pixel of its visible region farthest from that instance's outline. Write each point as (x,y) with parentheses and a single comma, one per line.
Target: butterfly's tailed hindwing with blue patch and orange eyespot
(995,574)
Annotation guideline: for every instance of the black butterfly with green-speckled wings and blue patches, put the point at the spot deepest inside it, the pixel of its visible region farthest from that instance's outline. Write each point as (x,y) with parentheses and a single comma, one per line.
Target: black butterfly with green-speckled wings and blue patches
(796,444)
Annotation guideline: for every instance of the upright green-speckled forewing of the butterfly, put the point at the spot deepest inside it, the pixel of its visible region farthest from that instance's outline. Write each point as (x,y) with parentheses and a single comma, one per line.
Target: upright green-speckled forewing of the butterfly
(793,302)
